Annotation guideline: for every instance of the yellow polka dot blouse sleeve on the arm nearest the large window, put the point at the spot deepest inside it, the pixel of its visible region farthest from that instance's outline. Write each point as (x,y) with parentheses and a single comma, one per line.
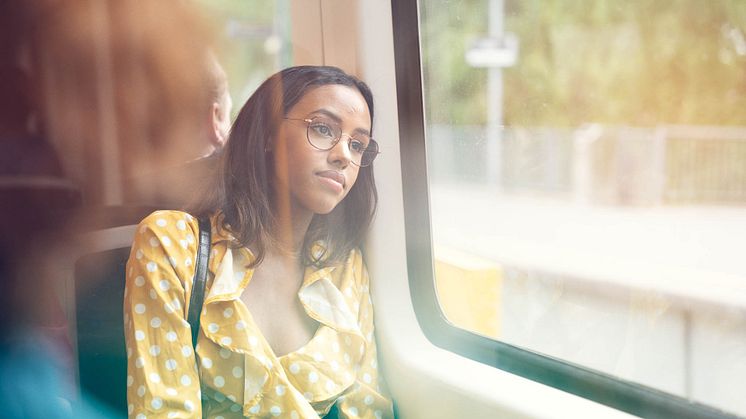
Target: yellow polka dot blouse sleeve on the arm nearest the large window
(368,398)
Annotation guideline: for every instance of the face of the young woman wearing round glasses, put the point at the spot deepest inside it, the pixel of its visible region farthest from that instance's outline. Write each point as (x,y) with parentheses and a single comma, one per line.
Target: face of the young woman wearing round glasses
(317,180)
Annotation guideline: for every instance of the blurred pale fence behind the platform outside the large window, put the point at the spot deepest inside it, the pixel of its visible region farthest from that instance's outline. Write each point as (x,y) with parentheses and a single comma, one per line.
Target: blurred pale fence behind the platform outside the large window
(662,165)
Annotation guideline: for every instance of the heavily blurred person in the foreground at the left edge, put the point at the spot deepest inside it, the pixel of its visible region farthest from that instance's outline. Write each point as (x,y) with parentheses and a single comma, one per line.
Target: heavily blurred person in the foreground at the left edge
(110,84)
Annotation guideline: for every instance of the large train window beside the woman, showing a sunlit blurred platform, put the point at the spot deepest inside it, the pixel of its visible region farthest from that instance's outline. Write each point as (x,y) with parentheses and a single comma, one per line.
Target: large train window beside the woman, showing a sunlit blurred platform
(586,187)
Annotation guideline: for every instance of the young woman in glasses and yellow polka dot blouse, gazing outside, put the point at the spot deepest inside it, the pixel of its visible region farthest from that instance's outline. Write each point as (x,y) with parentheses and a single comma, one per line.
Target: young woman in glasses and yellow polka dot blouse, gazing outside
(286,328)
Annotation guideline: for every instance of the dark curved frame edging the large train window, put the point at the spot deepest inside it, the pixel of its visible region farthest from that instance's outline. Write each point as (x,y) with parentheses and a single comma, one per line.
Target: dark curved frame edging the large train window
(599,387)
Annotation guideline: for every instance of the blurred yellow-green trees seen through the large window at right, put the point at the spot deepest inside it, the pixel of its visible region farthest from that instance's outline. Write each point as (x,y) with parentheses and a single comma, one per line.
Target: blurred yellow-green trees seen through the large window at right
(641,62)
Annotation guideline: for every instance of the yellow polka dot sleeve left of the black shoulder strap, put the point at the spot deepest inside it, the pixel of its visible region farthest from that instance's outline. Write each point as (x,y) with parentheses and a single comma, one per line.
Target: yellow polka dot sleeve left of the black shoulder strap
(162,379)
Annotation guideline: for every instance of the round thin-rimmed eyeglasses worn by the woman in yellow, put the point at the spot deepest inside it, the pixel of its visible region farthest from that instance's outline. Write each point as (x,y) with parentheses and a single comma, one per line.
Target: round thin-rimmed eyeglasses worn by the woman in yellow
(324,133)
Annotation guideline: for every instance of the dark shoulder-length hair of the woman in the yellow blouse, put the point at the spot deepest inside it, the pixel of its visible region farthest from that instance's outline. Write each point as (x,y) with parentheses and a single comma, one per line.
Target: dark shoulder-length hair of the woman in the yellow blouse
(242,190)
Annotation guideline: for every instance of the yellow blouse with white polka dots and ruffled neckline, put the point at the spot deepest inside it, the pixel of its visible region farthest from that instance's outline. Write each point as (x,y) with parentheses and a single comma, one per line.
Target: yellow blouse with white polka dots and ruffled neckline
(234,372)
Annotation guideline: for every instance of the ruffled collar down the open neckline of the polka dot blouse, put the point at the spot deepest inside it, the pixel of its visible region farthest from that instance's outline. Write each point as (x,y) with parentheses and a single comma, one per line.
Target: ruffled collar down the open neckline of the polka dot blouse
(226,321)
